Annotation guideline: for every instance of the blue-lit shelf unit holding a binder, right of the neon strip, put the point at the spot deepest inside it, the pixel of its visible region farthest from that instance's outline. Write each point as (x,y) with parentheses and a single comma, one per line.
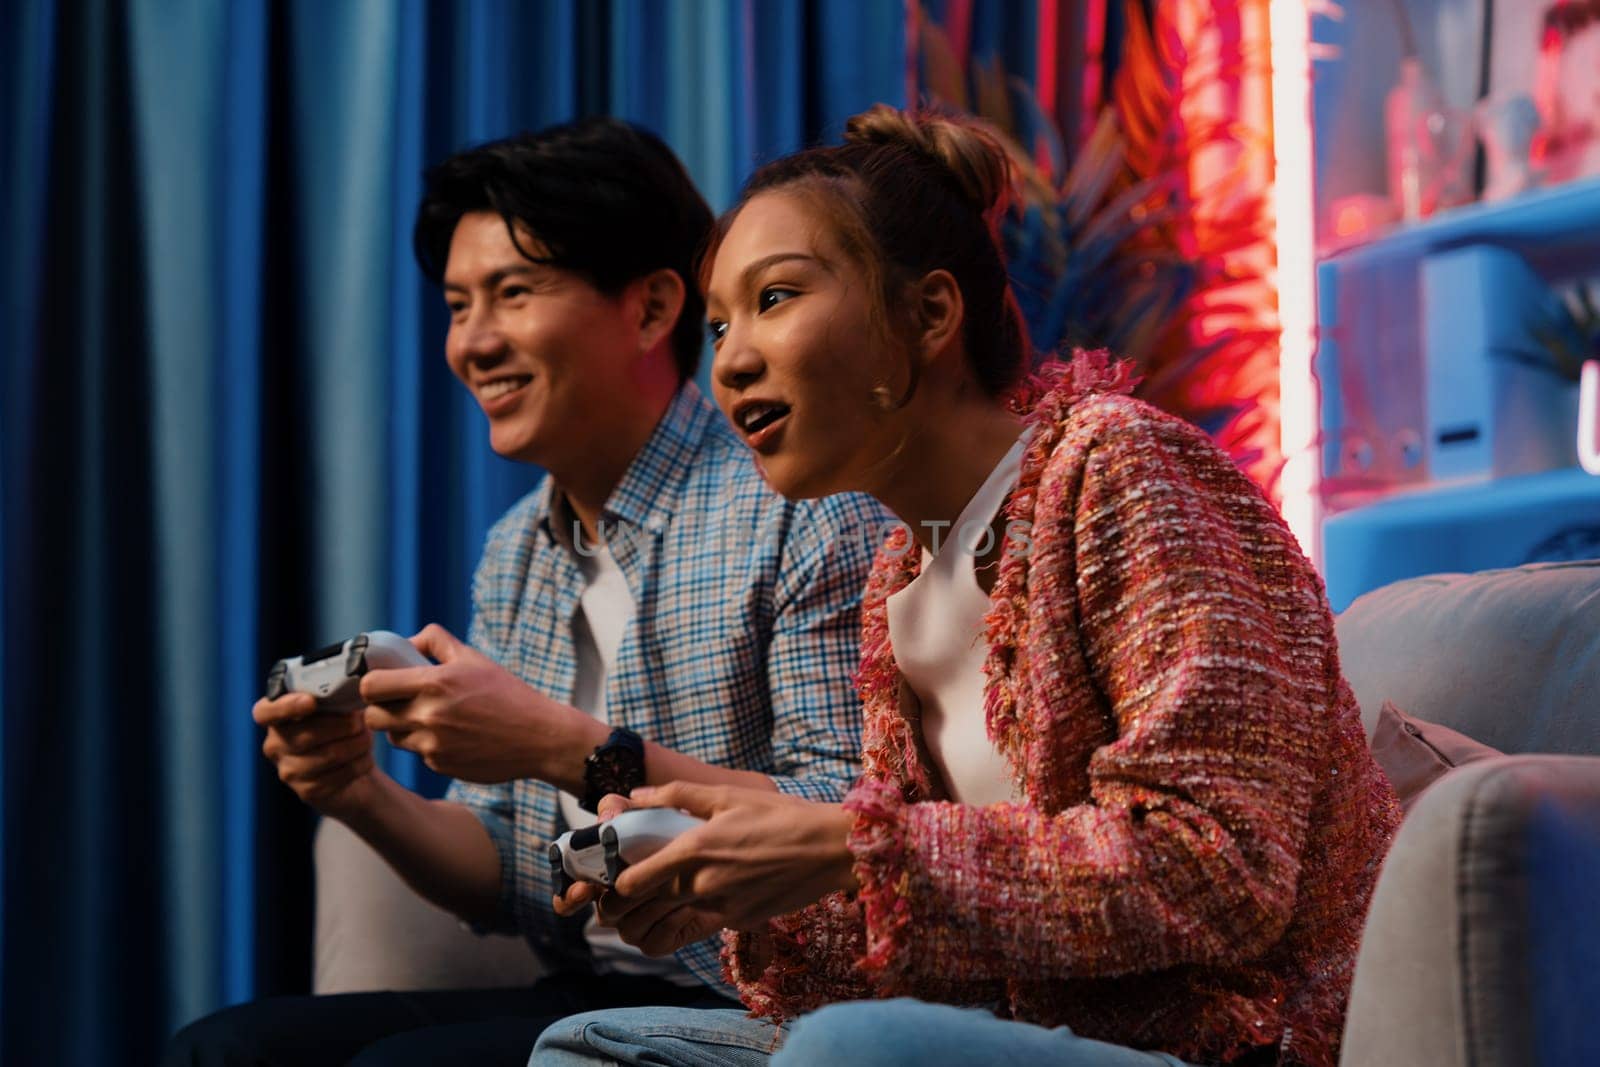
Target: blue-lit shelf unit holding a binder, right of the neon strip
(1436,386)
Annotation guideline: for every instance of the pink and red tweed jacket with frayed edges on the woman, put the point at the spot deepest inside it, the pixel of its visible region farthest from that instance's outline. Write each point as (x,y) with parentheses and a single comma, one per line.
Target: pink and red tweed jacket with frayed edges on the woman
(1202,823)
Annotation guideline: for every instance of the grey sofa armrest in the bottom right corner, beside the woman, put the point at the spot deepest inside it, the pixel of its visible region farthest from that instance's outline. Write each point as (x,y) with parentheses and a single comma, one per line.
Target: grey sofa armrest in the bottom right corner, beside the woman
(1482,945)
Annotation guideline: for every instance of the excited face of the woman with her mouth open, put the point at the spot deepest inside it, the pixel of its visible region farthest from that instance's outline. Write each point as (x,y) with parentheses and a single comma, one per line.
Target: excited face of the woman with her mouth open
(799,359)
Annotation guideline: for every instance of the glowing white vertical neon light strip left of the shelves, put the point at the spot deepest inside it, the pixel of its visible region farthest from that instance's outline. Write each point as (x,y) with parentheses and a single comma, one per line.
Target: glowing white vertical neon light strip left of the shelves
(1292,143)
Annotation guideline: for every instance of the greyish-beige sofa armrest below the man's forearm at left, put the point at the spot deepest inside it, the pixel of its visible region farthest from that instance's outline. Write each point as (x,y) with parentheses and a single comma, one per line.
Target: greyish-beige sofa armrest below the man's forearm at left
(375,933)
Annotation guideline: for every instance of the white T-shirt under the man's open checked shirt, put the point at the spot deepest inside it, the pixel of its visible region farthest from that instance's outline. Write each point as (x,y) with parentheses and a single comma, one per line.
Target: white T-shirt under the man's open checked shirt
(604,612)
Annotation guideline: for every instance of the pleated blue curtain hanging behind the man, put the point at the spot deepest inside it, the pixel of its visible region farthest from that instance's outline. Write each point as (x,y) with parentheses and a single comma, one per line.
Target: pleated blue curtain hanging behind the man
(230,433)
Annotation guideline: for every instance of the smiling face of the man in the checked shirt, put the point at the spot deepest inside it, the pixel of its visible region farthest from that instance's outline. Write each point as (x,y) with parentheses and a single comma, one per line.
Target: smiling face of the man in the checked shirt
(543,351)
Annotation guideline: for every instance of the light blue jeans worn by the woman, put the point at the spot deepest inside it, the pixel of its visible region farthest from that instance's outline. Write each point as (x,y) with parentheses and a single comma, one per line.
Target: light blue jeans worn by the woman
(870,1033)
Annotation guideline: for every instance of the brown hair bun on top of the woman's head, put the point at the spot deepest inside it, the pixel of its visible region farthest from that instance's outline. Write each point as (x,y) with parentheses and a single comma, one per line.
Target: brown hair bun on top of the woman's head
(974,156)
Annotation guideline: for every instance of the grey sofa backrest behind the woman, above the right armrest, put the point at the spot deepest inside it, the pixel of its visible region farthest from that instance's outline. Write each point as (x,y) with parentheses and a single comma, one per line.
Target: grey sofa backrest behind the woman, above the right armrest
(1510,658)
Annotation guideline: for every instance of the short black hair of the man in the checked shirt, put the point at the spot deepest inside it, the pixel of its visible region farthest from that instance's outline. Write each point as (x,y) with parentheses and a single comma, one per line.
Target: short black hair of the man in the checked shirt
(609,201)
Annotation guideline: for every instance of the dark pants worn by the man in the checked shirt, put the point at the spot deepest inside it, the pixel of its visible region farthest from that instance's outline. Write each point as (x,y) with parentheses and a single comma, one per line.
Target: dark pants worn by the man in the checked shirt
(478,1026)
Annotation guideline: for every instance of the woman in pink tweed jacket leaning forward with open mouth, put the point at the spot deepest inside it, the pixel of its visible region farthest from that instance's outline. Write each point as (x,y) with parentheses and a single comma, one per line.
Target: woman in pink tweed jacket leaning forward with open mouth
(1116,793)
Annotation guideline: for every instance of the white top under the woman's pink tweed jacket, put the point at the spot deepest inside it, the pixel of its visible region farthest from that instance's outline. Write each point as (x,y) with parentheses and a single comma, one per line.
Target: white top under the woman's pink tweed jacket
(937,631)
